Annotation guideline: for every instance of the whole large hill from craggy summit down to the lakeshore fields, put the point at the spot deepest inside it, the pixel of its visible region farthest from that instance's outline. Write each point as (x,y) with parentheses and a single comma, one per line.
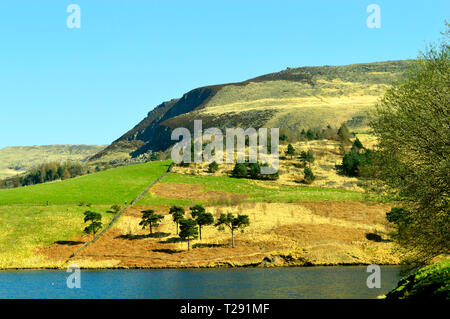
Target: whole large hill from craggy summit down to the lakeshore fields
(331,222)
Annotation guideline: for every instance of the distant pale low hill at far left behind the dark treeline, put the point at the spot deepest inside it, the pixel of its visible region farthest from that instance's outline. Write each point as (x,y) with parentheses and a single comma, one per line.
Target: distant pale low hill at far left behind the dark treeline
(18,159)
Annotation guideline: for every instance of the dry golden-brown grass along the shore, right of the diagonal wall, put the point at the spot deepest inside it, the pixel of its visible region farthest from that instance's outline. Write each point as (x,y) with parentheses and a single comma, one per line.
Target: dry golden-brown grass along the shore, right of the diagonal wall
(307,233)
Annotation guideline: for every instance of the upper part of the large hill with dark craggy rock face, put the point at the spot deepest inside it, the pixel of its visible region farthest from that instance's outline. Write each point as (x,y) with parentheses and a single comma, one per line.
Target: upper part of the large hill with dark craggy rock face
(293,99)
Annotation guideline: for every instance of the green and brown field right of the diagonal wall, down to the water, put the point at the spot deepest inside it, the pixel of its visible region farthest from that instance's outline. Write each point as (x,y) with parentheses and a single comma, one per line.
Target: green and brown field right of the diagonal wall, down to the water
(292,226)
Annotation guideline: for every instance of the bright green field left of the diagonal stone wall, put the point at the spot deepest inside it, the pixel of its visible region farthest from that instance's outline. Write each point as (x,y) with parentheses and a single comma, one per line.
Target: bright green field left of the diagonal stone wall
(27,224)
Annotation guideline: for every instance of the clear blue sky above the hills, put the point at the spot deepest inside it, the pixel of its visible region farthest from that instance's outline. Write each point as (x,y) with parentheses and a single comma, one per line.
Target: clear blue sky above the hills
(91,85)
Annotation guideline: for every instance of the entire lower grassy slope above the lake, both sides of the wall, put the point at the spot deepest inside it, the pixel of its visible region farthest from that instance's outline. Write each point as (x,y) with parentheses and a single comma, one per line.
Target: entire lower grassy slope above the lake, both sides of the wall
(289,225)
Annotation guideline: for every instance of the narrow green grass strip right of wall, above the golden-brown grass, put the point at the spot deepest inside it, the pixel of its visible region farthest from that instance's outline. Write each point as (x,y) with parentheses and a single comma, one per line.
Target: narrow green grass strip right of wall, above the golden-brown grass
(218,190)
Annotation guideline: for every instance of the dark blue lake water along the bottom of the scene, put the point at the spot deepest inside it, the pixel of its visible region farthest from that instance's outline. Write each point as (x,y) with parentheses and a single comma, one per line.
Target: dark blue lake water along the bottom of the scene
(297,283)
